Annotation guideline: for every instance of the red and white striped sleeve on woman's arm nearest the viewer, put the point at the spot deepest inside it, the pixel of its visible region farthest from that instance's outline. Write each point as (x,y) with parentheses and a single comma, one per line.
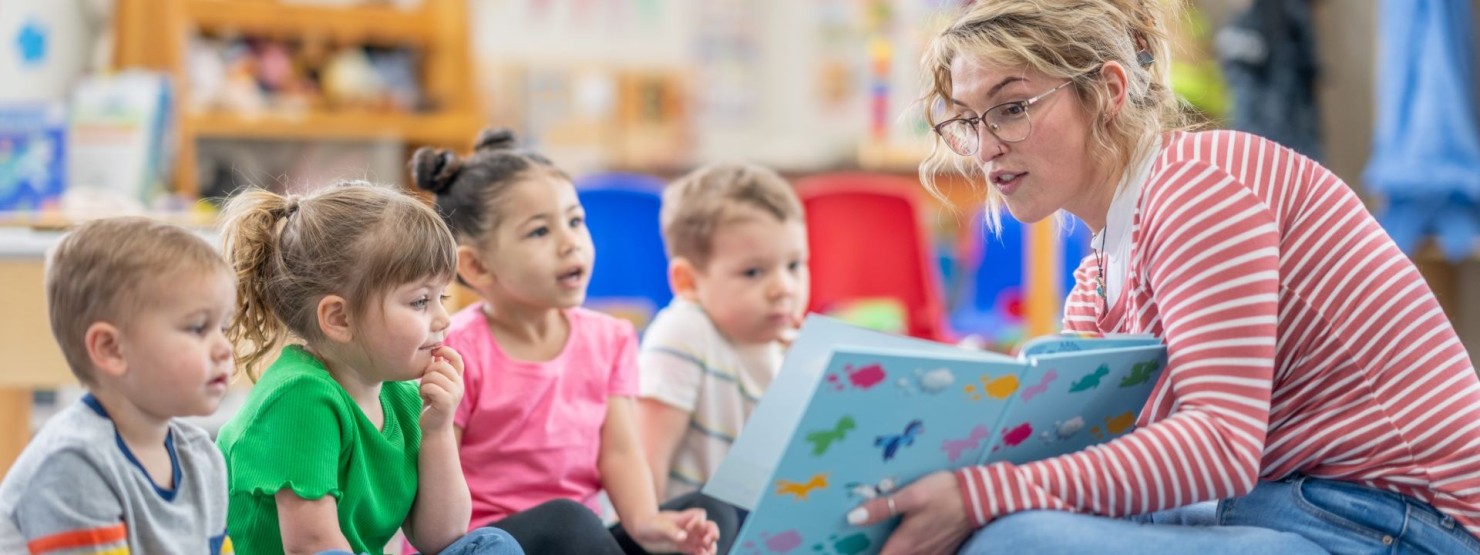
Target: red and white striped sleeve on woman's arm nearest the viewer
(1210,255)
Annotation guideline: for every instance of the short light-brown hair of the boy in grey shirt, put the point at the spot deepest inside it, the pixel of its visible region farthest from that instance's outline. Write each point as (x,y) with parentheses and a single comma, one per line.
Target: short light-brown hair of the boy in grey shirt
(104,272)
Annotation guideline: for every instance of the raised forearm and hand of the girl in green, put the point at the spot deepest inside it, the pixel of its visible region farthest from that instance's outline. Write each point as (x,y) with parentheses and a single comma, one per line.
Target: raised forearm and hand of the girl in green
(443,507)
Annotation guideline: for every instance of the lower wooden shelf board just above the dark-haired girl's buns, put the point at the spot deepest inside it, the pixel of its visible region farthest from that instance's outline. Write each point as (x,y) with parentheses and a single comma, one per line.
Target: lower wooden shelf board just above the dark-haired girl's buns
(349,127)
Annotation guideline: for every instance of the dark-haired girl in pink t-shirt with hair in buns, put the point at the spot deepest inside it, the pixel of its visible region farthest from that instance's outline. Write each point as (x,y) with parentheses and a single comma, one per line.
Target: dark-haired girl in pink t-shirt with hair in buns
(548,420)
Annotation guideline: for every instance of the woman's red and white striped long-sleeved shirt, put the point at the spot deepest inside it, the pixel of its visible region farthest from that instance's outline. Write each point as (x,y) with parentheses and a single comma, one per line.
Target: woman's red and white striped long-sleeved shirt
(1300,340)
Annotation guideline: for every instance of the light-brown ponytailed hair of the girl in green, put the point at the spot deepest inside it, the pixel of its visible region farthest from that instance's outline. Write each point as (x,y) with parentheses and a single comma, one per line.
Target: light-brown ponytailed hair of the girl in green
(351,239)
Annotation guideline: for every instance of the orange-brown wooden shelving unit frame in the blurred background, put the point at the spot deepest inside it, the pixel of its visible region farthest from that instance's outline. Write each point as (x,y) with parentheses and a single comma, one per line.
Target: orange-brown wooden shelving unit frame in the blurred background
(156,35)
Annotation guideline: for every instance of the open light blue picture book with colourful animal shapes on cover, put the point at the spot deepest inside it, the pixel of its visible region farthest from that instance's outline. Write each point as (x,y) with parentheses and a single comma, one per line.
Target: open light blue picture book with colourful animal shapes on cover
(855,415)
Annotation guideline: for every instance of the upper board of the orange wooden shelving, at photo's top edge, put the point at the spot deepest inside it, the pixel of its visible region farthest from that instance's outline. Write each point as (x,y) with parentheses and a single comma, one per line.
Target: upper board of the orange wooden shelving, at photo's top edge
(359,24)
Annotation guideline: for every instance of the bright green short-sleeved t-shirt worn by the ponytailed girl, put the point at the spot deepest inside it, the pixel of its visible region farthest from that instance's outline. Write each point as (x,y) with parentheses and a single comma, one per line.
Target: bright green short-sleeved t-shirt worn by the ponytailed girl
(301,430)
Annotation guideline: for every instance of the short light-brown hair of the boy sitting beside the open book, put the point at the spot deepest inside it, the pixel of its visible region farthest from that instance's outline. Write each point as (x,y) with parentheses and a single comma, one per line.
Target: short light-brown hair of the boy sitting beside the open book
(699,203)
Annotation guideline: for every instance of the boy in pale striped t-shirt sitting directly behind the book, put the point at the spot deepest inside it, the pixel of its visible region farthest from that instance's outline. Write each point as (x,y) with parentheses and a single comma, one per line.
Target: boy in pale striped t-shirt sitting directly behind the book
(738,251)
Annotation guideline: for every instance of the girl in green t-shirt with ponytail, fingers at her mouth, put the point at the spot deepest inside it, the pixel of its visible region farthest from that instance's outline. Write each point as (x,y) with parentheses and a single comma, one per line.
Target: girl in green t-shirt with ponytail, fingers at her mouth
(338,446)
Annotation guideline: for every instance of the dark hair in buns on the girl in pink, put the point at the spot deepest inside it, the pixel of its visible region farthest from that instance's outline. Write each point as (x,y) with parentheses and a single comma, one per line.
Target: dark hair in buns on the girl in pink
(470,190)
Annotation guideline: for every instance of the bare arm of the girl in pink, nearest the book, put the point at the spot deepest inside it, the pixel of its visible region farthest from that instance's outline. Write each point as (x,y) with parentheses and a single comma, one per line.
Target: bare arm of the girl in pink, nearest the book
(628,482)
